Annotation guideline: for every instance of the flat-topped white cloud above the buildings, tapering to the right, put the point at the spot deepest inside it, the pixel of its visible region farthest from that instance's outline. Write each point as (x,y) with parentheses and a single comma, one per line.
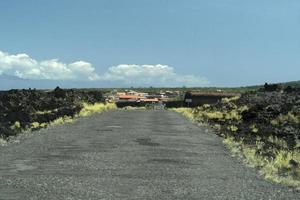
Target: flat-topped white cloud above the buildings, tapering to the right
(155,75)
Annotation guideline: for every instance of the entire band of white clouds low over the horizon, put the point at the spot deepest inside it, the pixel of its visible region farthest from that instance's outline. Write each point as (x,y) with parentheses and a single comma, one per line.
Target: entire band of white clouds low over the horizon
(23,66)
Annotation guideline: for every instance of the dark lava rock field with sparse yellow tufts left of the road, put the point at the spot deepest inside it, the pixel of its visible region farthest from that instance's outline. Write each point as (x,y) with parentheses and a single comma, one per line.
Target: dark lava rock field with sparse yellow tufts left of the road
(33,109)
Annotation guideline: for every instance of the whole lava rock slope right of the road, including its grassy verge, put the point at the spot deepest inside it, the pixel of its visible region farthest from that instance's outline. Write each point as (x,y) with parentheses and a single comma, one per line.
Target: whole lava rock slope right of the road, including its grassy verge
(263,126)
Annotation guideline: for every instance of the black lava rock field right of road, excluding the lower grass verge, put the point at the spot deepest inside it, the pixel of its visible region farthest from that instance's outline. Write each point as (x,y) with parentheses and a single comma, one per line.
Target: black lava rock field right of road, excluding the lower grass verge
(258,114)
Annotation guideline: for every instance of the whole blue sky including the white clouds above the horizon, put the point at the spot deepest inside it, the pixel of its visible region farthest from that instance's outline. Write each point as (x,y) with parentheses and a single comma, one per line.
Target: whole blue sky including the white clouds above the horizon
(192,42)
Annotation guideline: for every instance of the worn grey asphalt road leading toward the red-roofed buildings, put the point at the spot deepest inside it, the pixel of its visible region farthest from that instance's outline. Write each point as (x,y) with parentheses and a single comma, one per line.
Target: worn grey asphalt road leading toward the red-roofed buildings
(129,155)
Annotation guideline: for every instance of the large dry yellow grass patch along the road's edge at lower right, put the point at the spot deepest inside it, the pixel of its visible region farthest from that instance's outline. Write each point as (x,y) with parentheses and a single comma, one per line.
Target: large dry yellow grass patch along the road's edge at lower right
(282,168)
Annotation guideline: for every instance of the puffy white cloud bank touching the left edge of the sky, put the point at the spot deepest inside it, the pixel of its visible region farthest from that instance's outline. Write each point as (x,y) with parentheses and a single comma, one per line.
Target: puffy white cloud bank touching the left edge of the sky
(22,66)
